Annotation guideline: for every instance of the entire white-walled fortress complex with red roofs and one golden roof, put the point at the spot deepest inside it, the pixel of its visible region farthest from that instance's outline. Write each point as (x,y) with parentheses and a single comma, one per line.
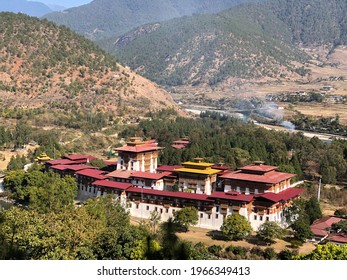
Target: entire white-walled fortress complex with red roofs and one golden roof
(258,192)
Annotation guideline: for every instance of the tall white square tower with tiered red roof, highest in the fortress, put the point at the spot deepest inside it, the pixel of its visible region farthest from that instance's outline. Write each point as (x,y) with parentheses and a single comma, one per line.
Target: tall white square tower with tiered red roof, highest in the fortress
(138,155)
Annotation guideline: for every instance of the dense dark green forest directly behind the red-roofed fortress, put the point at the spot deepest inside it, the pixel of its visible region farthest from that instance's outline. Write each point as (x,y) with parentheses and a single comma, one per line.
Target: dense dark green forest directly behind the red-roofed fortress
(218,138)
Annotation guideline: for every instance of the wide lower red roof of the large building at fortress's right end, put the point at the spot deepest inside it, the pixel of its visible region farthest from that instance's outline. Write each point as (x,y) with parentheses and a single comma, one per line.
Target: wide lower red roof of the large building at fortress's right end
(272,177)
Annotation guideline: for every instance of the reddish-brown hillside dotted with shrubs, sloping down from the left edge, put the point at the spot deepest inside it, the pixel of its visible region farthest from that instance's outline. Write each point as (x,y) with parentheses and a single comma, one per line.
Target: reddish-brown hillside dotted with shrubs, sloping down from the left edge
(44,65)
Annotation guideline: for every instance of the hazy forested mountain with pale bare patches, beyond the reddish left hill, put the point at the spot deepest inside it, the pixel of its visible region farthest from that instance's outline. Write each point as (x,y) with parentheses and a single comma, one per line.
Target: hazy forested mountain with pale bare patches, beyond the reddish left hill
(247,42)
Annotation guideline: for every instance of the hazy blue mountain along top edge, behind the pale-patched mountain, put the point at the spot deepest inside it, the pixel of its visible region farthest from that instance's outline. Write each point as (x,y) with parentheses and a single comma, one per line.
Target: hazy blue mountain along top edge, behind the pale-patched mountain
(107,18)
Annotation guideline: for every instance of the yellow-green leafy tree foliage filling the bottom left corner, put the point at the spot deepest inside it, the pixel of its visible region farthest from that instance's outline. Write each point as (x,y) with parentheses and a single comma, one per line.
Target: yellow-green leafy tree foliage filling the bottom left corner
(65,235)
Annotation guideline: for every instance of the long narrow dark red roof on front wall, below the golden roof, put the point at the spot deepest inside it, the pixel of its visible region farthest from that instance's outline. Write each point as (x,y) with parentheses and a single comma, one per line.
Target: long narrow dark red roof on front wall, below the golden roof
(182,195)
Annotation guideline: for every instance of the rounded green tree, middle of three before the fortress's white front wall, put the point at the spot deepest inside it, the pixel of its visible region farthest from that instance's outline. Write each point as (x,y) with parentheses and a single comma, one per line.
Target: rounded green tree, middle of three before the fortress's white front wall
(236,227)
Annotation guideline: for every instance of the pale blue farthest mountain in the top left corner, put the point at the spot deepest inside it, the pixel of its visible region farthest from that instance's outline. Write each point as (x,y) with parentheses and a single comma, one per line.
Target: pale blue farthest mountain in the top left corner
(26,7)
